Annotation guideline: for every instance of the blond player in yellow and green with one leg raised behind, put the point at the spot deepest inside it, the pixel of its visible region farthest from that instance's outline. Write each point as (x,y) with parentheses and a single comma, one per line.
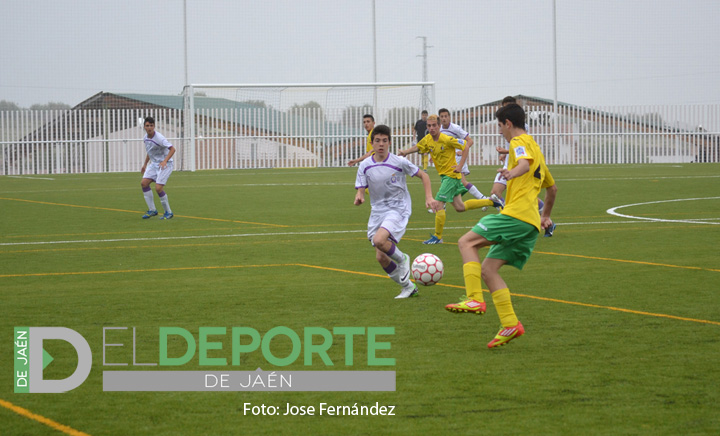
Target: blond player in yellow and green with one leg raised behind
(442,150)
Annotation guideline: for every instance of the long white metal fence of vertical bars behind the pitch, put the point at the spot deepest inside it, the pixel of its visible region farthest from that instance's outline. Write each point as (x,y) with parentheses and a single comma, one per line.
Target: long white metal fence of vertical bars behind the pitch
(97,141)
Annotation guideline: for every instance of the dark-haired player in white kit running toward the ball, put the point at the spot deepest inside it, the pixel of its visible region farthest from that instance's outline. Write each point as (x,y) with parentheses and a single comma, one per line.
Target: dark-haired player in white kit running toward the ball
(385,175)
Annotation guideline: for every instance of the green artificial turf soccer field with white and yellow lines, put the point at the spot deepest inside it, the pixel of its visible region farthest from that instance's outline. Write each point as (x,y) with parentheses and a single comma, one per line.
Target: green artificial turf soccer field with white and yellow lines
(621,311)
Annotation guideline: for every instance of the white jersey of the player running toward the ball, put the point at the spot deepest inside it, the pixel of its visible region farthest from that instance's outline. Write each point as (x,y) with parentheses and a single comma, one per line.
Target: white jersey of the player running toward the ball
(387,183)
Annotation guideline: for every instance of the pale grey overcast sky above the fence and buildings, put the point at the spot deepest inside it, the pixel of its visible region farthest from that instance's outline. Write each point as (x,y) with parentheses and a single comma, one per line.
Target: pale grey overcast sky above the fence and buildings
(609,52)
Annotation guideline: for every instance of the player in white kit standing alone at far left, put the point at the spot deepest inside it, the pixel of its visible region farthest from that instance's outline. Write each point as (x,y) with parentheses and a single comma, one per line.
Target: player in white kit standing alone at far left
(159,155)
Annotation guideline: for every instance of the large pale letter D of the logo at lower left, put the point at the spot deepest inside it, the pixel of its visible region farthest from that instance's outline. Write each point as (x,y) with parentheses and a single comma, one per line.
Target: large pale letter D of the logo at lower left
(37,335)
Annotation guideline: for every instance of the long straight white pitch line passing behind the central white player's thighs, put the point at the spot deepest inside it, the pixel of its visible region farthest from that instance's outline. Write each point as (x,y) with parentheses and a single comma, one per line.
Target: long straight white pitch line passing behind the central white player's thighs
(248,235)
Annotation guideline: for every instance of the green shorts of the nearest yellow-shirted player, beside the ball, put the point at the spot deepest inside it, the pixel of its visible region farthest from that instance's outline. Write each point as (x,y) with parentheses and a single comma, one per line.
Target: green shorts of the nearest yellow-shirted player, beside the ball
(514,239)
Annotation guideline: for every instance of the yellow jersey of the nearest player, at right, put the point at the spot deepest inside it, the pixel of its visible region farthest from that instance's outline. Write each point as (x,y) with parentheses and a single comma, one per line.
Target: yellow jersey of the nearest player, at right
(522,192)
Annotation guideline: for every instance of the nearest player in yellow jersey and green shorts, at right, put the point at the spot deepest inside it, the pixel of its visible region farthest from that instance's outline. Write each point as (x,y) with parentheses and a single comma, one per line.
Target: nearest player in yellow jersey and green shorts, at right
(511,234)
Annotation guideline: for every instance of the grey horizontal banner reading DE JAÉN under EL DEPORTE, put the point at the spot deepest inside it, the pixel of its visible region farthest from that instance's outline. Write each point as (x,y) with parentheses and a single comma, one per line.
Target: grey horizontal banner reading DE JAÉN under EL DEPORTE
(155,381)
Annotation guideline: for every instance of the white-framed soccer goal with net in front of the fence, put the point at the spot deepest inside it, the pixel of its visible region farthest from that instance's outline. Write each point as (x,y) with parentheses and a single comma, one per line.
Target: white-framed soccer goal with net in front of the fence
(295,124)
